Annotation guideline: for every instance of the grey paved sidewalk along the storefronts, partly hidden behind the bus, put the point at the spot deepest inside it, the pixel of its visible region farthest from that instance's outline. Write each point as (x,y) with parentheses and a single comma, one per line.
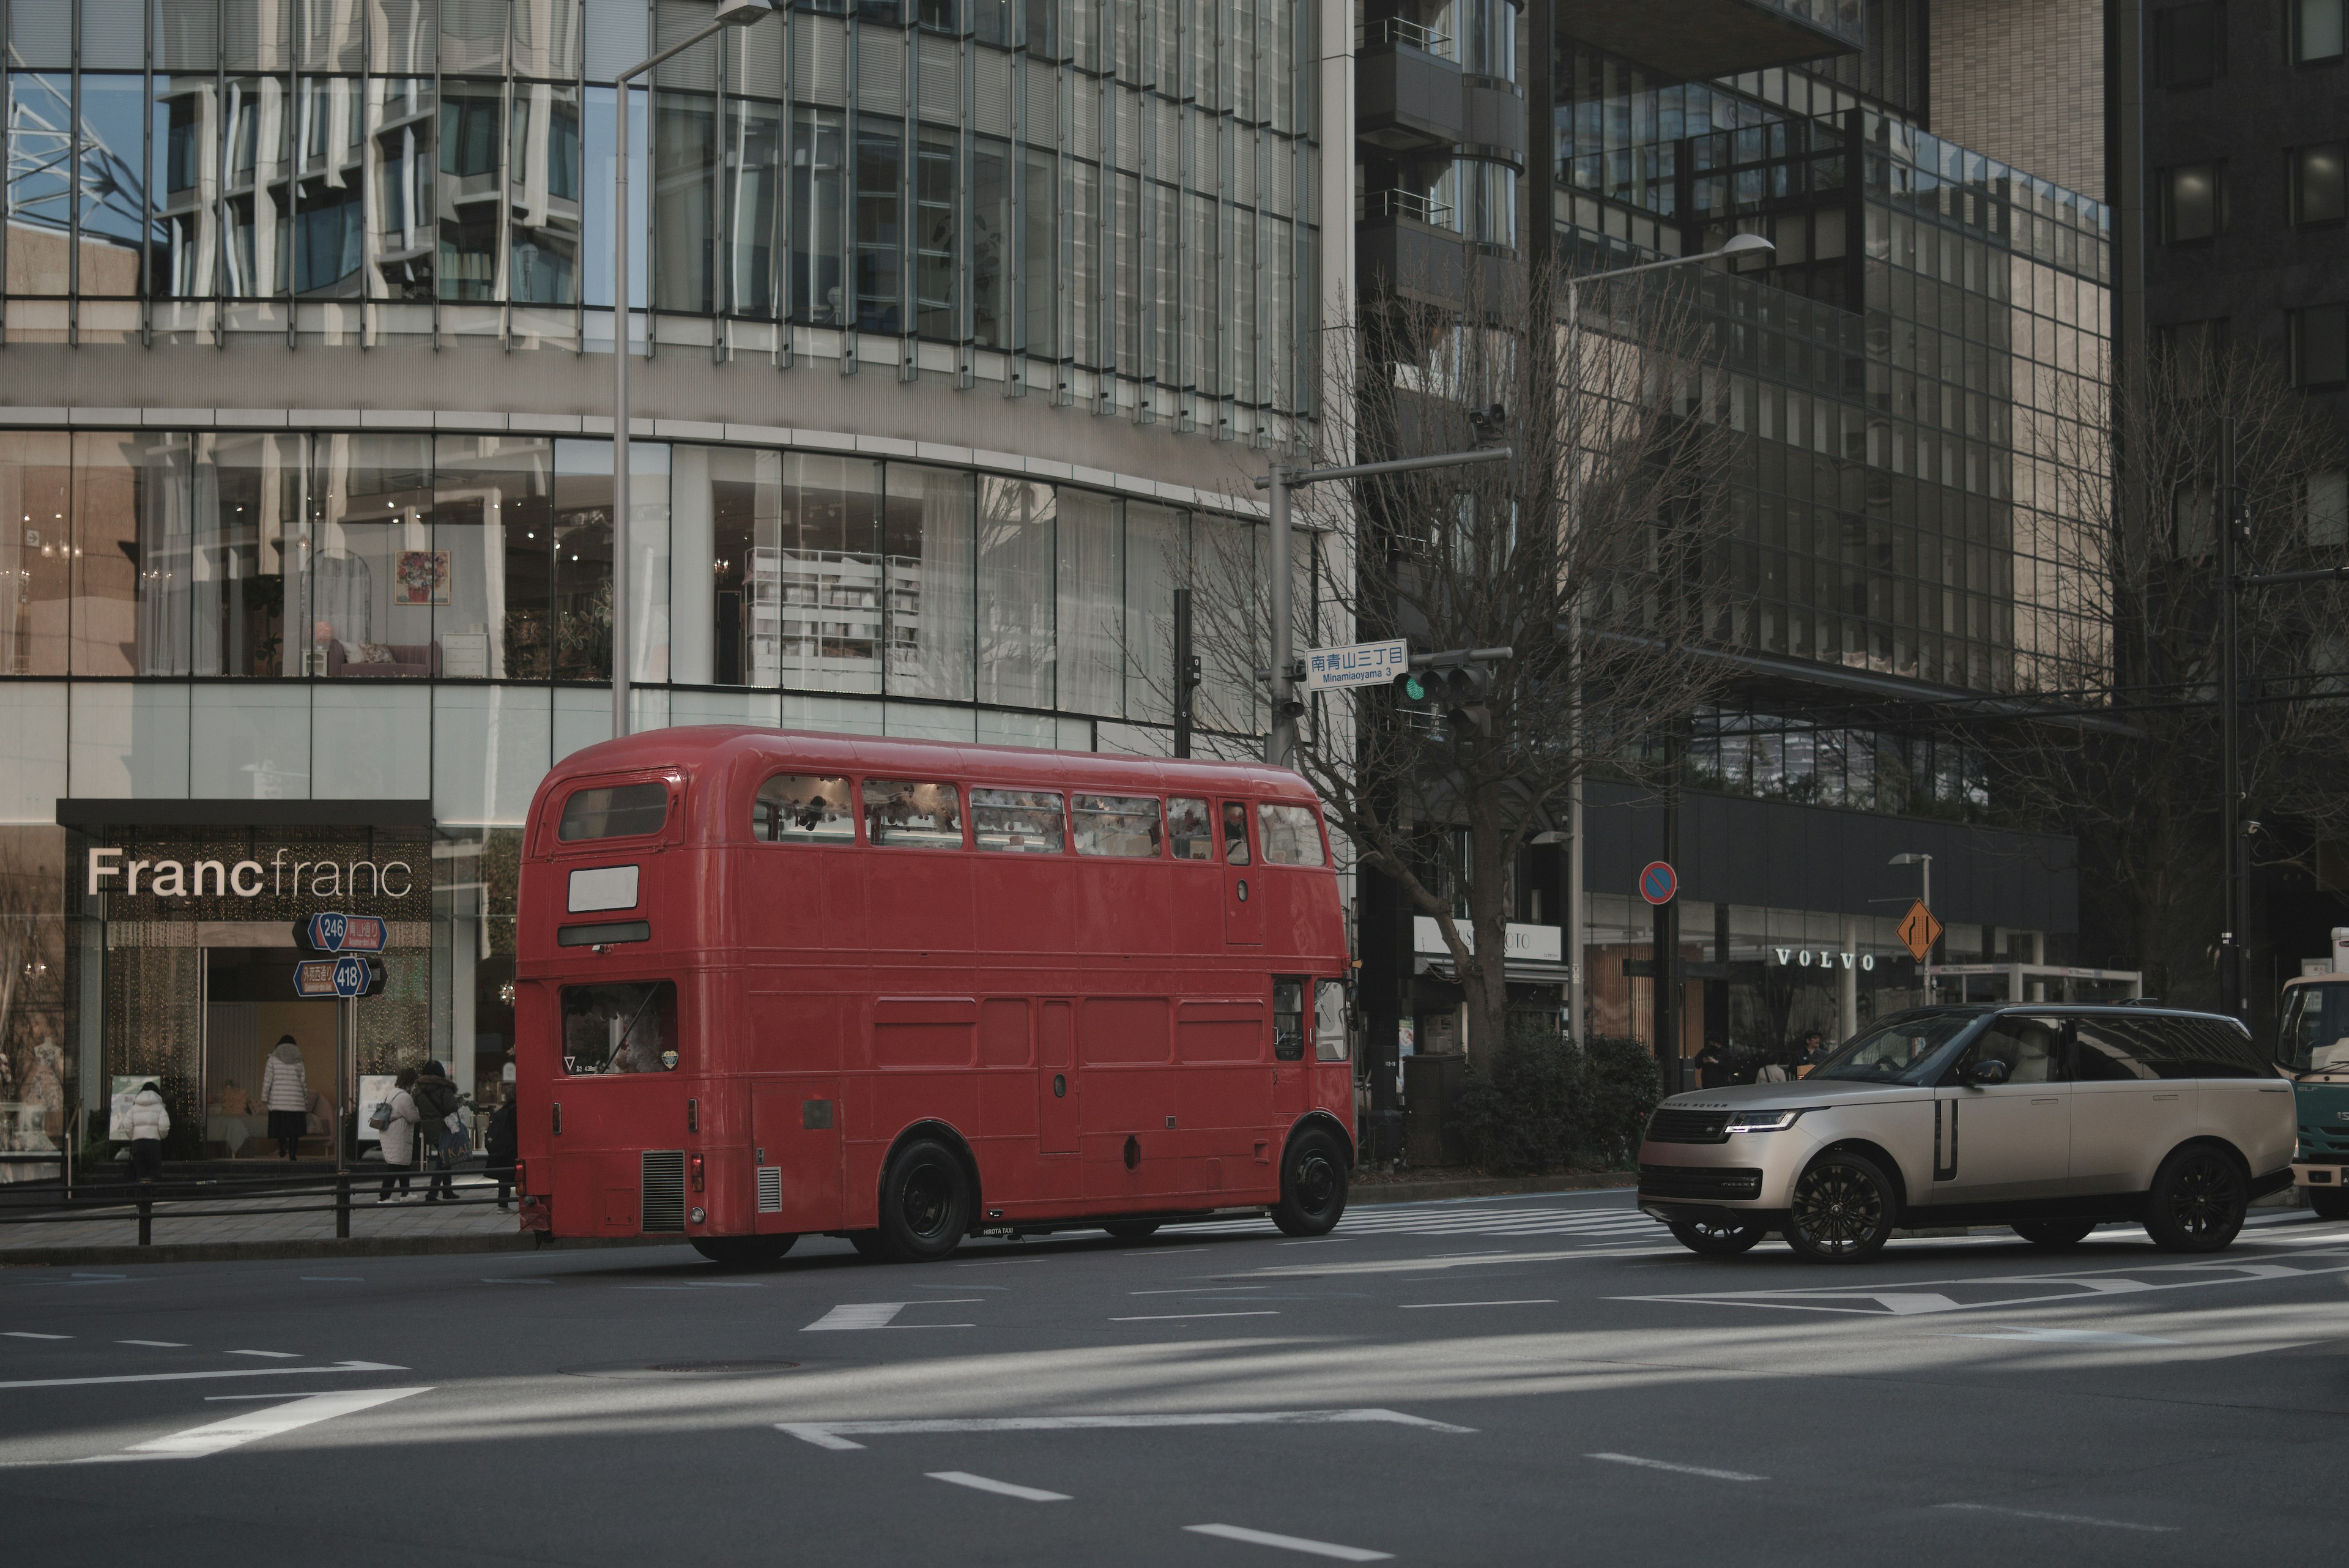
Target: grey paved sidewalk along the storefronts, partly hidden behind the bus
(415,1228)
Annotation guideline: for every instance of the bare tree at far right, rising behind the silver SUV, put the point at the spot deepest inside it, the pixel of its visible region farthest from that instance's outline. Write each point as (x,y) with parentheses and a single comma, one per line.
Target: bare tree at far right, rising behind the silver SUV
(2120,619)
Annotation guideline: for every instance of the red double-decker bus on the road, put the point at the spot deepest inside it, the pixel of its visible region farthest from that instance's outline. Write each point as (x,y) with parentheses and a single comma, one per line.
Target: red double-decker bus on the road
(903,993)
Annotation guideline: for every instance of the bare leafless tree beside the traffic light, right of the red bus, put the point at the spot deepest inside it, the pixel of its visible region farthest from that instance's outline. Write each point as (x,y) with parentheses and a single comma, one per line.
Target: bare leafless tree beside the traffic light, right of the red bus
(1490,556)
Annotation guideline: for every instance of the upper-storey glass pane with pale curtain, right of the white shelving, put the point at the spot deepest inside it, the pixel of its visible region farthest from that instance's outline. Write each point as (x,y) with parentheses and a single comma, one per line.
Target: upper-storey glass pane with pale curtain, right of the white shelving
(929,554)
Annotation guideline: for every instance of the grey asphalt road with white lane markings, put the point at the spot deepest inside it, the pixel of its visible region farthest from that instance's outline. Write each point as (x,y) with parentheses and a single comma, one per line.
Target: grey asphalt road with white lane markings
(1497,1381)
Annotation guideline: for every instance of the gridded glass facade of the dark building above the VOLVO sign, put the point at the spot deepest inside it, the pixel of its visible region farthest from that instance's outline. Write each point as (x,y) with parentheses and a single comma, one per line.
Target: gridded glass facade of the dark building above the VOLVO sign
(1920,373)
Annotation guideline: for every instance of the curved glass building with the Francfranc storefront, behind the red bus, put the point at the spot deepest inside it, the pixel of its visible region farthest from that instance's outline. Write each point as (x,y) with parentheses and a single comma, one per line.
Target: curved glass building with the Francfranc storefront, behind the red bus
(964,330)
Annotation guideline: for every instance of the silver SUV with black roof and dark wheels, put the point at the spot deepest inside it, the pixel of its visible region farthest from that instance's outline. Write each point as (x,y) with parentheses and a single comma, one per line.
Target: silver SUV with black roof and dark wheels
(2040,1118)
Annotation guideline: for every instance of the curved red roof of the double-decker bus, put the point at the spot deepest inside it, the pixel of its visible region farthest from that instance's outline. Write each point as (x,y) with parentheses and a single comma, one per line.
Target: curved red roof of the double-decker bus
(718,749)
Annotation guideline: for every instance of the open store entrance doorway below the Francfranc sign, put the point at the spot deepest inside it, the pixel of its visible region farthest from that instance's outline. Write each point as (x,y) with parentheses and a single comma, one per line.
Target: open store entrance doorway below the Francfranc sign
(248,1010)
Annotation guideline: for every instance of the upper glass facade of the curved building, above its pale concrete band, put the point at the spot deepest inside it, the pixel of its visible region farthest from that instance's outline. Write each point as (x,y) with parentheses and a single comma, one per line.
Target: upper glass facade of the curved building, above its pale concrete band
(1098,201)
